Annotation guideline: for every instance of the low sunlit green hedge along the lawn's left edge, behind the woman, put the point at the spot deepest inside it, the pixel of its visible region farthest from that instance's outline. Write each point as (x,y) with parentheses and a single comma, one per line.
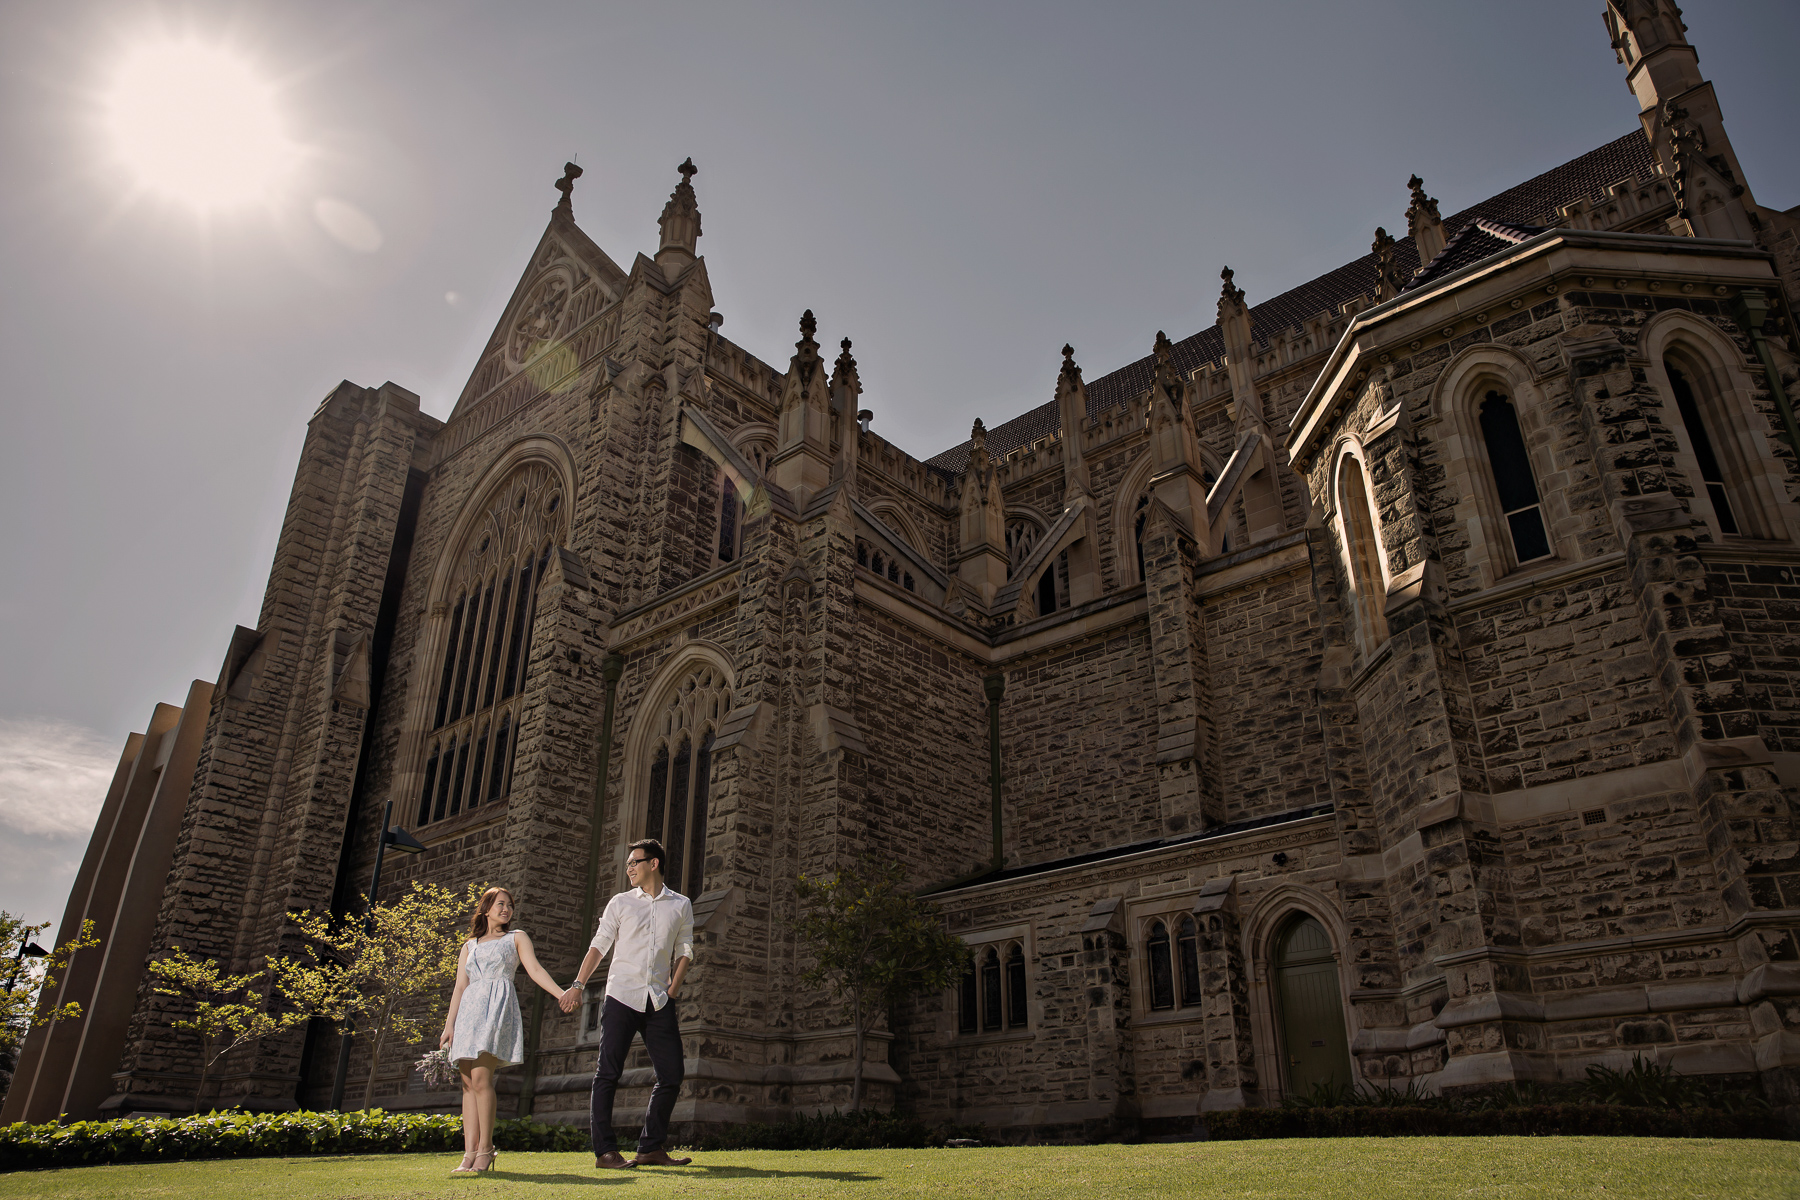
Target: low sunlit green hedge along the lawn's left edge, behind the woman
(260,1134)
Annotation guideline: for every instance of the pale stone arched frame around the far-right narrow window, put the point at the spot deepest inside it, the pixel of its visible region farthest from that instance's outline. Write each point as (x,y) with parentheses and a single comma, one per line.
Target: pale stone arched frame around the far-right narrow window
(1741,438)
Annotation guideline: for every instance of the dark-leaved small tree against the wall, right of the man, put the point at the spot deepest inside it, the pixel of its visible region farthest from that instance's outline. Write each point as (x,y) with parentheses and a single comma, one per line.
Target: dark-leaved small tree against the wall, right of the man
(874,945)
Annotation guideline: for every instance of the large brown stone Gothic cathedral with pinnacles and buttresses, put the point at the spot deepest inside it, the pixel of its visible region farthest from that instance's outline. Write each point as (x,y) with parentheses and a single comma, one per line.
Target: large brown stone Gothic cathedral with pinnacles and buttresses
(1396,681)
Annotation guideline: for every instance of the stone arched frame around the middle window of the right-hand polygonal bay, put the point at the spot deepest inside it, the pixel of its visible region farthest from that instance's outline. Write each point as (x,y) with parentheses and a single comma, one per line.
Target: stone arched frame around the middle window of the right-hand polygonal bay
(1459,397)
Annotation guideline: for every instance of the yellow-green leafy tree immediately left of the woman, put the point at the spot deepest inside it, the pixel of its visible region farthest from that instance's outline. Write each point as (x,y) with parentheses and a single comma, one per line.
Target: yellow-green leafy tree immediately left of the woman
(384,976)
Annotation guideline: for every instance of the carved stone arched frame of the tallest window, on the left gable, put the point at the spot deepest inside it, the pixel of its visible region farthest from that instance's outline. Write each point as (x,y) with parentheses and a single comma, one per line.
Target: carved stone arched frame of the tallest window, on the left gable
(467,569)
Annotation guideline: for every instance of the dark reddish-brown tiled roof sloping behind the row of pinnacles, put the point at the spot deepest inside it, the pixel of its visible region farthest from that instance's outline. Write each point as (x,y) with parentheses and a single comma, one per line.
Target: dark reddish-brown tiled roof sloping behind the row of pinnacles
(1533,202)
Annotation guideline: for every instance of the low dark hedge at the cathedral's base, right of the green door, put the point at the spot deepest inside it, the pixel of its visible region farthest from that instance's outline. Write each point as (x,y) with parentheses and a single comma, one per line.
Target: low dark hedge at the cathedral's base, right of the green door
(1529,1122)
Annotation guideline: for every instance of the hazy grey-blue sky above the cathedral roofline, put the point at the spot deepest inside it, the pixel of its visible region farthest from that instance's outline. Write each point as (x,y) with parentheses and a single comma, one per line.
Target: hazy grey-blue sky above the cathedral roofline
(960,188)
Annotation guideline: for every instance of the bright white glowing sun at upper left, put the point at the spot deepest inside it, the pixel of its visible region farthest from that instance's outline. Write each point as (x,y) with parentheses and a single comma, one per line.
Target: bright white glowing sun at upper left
(199,125)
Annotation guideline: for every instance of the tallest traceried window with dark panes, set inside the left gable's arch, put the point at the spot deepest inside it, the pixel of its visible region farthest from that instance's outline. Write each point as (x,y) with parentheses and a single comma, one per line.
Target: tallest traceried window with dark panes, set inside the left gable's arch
(487,645)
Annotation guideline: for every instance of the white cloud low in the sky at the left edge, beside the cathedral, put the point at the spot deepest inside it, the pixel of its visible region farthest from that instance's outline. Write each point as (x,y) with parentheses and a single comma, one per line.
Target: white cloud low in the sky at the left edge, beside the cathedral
(53,778)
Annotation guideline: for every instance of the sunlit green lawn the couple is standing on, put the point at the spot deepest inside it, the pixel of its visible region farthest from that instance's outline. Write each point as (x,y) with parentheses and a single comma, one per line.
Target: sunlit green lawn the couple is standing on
(1500,1169)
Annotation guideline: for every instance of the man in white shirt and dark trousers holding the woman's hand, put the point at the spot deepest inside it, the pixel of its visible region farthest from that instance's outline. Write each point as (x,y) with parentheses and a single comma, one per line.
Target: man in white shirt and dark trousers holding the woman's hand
(651,936)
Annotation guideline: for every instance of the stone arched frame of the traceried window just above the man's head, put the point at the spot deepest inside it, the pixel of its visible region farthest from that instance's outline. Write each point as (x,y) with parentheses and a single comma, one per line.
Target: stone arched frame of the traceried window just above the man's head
(683,710)
